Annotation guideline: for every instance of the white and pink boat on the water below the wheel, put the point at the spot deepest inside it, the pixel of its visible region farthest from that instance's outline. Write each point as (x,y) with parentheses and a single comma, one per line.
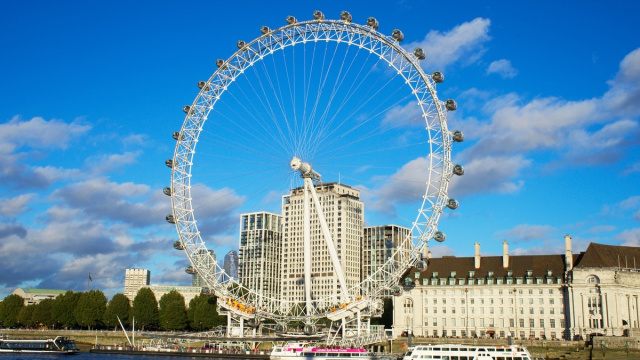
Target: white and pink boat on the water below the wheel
(300,351)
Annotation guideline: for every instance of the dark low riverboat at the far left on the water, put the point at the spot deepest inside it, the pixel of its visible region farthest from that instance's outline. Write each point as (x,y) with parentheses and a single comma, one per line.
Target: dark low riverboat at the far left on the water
(60,345)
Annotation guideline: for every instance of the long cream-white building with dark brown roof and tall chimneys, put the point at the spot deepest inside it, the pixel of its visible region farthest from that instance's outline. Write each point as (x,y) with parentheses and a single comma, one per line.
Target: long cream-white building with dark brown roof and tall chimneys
(526,296)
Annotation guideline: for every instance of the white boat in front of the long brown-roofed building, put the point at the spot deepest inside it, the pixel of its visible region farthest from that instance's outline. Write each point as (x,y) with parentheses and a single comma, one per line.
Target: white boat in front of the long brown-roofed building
(467,352)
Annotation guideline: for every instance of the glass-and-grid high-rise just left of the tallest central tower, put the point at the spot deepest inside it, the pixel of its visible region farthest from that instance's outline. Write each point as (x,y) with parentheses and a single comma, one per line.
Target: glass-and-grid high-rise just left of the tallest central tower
(260,253)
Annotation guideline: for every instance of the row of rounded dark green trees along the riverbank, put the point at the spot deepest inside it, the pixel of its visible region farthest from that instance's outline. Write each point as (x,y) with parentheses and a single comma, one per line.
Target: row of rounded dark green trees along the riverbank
(90,310)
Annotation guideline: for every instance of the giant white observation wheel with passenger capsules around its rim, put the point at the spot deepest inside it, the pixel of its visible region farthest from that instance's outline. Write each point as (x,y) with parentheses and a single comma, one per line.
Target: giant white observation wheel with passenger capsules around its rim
(303,108)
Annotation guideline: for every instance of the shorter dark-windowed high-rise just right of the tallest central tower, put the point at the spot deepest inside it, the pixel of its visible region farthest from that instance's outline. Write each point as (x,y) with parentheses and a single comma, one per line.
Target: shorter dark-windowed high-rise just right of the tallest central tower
(379,244)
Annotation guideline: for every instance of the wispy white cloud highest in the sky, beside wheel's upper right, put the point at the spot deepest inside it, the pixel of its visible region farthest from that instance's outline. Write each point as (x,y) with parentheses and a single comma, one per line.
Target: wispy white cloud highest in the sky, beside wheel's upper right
(464,42)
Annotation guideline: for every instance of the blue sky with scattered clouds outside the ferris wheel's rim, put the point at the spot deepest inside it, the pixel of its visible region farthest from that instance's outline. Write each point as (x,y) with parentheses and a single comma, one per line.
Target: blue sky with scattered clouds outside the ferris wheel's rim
(548,98)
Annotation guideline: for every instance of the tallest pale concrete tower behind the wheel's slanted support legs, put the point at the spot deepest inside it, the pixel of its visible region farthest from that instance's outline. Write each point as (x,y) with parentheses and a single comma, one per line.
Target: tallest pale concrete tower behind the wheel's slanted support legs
(344,213)
